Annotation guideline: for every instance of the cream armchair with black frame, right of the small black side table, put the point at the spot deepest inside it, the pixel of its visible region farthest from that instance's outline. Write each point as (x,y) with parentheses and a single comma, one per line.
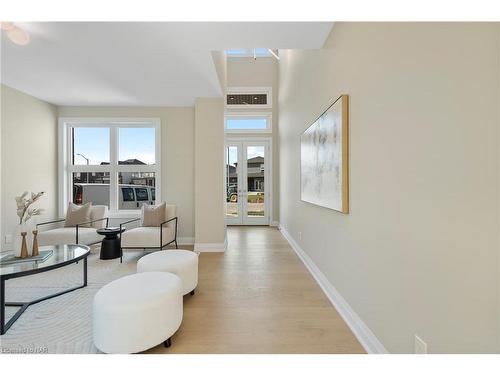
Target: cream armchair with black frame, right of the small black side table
(151,237)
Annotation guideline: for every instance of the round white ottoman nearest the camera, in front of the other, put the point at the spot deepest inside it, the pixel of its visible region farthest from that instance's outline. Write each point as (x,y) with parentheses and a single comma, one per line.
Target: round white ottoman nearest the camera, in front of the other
(137,312)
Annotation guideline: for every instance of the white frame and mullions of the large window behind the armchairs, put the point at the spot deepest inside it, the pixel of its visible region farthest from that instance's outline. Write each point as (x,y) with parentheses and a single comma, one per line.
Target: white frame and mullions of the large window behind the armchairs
(66,168)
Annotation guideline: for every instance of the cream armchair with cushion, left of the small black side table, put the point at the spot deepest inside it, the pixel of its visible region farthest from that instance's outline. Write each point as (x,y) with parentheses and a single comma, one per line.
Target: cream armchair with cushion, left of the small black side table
(82,233)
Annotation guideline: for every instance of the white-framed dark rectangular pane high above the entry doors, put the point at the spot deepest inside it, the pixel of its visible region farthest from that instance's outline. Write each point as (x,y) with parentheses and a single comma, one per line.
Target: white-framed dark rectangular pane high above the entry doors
(248,97)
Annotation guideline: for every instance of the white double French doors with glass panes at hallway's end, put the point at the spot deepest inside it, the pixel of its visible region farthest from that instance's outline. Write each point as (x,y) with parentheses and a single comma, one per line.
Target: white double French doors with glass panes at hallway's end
(247,182)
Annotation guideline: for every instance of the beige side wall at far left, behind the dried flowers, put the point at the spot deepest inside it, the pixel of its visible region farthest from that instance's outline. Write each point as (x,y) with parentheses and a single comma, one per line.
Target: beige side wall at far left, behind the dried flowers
(28,155)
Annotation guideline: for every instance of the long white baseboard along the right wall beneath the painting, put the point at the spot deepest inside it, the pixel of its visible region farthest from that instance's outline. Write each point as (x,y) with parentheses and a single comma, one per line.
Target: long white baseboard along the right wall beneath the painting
(365,336)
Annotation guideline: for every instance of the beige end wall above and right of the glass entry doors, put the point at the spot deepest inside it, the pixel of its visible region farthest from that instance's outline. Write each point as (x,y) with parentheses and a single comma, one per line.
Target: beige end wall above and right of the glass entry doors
(262,72)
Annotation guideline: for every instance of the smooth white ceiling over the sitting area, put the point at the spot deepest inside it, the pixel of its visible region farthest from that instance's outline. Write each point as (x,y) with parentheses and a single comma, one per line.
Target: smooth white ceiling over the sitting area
(137,63)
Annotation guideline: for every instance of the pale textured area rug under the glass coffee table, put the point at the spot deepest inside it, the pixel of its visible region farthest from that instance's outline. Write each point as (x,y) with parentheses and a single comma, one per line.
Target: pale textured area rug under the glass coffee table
(62,324)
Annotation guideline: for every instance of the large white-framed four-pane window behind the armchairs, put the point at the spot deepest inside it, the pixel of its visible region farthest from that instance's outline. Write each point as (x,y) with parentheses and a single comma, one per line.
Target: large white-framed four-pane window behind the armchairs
(110,162)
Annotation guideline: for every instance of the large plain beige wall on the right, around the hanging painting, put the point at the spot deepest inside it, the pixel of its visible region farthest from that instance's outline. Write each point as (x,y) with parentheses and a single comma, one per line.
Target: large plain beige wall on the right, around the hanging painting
(418,253)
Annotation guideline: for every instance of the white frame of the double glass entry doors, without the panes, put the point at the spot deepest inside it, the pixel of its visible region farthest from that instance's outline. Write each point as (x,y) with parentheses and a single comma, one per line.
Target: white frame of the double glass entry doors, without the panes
(242,143)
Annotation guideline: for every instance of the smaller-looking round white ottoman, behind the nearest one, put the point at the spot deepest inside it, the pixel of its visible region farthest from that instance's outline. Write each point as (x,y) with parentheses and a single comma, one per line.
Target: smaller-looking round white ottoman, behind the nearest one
(183,263)
